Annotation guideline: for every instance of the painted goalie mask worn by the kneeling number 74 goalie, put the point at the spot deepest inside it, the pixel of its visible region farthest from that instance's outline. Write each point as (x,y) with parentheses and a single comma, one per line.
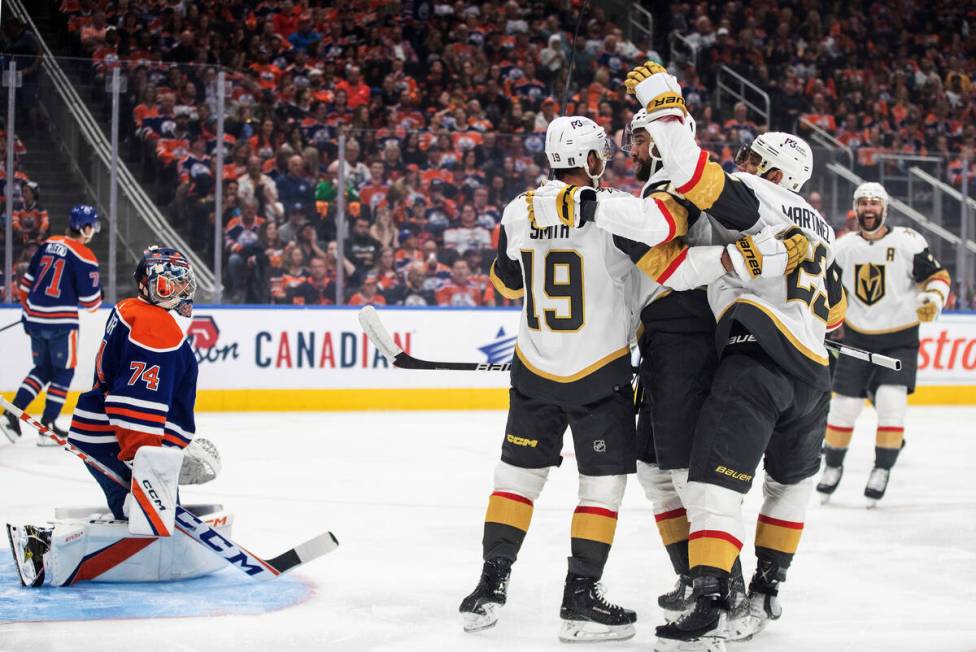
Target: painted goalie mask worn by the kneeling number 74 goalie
(165,279)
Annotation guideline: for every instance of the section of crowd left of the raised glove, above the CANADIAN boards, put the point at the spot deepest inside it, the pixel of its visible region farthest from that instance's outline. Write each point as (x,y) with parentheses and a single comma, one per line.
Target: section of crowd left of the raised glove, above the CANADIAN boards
(443,114)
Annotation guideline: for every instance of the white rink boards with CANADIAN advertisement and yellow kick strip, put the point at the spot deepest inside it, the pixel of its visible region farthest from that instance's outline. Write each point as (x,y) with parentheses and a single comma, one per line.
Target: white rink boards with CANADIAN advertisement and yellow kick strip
(273,358)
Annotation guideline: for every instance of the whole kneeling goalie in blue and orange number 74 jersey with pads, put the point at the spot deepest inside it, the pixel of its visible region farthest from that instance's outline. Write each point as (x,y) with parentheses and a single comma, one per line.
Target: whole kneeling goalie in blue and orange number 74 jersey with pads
(138,421)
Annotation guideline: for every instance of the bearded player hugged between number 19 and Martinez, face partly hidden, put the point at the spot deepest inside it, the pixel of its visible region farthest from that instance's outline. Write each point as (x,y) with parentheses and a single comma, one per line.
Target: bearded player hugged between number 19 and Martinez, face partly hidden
(677,344)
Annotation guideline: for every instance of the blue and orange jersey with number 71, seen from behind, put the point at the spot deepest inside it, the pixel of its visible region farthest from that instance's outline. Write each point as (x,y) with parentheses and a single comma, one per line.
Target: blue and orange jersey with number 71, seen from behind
(62,276)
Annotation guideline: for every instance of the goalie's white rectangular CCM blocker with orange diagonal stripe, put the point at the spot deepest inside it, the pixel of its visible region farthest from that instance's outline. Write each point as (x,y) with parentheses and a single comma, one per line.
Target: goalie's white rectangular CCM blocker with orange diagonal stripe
(155,486)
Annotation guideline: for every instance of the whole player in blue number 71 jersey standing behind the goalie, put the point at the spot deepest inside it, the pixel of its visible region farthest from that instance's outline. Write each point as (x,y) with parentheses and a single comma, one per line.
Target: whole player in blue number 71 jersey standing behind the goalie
(61,278)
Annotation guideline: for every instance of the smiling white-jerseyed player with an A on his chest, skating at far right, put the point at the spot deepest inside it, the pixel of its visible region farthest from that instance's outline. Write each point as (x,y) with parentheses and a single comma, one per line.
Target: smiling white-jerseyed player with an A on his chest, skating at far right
(894,283)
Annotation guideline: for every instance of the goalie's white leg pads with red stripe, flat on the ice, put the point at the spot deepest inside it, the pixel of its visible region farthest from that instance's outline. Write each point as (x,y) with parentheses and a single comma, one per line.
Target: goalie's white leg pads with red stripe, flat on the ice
(103,550)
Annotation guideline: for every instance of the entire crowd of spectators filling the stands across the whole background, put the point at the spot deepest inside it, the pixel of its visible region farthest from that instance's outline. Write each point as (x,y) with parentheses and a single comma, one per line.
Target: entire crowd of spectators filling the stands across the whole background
(443,116)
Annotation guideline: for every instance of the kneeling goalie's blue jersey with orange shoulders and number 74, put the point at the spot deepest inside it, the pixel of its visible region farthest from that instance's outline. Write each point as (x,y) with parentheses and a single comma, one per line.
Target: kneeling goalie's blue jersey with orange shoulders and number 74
(144,388)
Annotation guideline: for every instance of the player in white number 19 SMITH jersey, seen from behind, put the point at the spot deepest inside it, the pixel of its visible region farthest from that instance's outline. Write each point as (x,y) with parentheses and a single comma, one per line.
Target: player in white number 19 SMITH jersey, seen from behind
(571,368)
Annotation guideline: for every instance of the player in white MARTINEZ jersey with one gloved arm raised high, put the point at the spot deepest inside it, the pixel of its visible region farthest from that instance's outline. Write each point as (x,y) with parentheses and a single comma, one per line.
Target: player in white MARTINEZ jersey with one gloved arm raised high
(769,396)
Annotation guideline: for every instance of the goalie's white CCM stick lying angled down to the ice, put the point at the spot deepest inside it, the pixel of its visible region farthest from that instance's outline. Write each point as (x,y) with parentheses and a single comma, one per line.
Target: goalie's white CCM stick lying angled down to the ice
(195,528)
